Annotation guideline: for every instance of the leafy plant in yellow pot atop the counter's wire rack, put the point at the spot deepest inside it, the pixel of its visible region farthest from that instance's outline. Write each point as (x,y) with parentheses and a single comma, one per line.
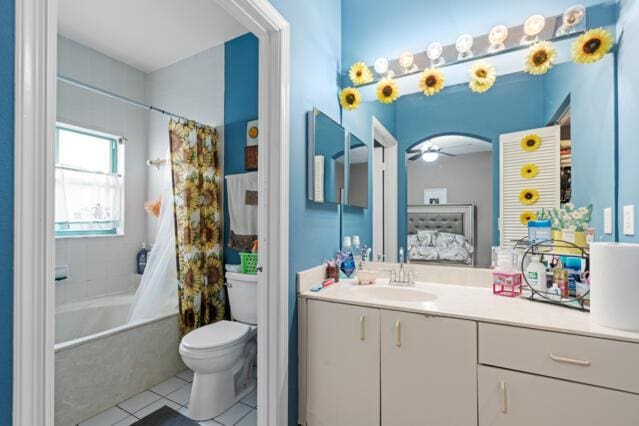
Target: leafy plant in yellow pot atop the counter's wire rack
(570,224)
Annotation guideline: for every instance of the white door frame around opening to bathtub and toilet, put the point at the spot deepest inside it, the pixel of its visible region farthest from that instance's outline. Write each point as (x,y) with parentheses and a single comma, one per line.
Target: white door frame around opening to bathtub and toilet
(34,249)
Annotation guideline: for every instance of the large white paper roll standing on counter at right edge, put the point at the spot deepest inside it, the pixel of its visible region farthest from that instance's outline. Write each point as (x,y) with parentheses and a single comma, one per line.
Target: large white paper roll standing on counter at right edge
(614,285)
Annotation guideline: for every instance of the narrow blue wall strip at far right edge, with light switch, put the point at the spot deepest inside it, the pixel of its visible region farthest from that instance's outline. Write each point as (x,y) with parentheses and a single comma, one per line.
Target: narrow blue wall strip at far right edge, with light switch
(628,86)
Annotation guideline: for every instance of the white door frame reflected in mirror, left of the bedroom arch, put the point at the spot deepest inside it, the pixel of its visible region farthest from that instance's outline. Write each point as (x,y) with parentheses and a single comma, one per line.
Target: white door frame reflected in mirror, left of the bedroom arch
(390,144)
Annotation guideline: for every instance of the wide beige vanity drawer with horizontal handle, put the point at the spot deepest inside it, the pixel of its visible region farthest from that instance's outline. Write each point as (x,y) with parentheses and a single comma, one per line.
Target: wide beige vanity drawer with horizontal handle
(601,362)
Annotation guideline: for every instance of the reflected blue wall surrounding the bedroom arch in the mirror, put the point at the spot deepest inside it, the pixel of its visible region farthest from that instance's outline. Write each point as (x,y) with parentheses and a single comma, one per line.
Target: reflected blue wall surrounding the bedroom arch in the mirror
(458,110)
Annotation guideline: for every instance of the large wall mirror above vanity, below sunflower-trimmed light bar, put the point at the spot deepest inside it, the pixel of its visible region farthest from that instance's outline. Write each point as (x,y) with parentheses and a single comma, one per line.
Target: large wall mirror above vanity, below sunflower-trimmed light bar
(498,158)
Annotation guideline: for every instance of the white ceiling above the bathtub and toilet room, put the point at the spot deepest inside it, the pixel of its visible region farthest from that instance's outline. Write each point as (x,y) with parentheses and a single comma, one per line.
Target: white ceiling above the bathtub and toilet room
(147,34)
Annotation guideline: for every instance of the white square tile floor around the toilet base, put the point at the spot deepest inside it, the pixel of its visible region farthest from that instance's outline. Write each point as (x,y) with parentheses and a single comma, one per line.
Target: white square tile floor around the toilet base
(175,393)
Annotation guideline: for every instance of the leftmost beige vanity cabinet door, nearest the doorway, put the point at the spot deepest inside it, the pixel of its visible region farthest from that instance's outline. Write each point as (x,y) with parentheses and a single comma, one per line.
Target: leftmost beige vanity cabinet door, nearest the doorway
(342,365)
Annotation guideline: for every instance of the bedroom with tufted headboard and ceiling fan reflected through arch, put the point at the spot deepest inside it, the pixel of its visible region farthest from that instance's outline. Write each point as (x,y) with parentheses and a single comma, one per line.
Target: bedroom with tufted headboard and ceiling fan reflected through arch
(460,170)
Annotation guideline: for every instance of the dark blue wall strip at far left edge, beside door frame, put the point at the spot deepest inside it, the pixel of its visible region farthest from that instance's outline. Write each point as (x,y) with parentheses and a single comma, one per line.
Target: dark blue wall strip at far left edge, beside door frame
(6,195)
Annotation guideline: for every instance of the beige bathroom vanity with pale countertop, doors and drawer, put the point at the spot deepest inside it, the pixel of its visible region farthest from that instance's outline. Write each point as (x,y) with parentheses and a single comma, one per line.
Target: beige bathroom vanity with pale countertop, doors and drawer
(446,354)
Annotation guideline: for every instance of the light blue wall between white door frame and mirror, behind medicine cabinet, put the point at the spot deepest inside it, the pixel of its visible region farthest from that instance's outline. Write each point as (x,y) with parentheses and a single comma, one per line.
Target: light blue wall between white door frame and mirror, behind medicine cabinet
(315,64)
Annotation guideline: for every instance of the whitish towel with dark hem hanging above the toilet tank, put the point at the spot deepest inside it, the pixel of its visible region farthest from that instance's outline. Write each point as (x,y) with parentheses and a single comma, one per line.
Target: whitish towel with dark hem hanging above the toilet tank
(242,200)
